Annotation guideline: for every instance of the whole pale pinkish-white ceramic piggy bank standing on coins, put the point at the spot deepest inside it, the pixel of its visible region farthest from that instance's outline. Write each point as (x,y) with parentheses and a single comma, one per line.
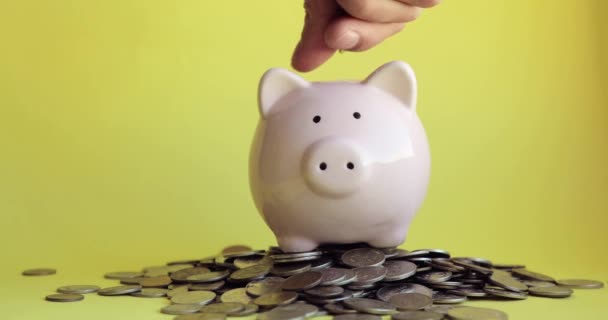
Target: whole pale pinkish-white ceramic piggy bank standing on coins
(339,162)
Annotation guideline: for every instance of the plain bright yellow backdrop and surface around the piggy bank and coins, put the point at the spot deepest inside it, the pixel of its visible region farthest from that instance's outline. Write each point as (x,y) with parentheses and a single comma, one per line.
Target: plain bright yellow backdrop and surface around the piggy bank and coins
(125,128)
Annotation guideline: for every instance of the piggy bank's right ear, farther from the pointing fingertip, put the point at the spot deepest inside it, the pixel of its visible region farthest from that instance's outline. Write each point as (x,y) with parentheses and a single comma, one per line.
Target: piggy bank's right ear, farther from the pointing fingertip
(398,79)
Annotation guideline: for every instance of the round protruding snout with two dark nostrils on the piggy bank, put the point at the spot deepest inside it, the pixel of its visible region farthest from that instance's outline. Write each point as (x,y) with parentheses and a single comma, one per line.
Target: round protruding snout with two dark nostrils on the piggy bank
(335,167)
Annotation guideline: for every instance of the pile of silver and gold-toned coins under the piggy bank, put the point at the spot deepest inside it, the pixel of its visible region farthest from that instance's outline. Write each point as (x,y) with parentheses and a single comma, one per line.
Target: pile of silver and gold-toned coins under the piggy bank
(347,281)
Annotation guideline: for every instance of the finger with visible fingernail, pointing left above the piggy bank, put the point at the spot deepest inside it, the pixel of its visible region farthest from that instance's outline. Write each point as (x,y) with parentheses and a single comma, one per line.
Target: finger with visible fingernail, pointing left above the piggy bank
(369,33)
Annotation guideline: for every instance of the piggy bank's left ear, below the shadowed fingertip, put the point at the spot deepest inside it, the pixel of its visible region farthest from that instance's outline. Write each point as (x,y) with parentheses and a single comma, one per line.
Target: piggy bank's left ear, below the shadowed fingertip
(274,85)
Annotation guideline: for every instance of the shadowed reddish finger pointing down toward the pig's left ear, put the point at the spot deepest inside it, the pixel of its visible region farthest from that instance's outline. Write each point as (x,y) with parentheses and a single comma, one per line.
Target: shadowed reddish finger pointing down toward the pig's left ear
(312,51)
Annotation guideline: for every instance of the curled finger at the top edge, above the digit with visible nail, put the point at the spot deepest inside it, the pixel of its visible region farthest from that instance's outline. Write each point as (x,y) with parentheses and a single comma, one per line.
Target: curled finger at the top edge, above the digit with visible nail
(380,10)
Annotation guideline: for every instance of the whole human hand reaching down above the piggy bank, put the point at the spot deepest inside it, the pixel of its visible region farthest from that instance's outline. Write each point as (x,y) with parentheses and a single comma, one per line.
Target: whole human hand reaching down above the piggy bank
(353,25)
